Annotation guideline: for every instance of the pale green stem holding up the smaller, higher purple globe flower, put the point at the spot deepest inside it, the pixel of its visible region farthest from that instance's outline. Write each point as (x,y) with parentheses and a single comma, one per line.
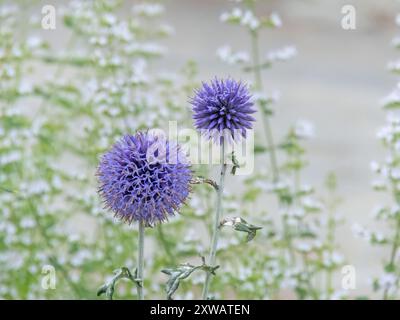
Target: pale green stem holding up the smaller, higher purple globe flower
(214,241)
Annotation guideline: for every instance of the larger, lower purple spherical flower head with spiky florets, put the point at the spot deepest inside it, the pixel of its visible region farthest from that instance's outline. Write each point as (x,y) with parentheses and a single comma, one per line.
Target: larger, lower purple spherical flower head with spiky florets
(144,177)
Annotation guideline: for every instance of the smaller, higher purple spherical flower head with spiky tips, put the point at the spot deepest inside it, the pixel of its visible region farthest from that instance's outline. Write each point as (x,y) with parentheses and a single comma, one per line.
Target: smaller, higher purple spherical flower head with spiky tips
(222,109)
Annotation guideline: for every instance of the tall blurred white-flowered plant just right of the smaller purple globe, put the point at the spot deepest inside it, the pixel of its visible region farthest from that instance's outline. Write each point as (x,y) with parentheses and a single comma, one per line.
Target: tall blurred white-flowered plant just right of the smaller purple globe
(305,232)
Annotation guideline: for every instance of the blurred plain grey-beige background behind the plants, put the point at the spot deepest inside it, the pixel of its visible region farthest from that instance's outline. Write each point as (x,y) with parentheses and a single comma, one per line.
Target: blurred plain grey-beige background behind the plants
(336,81)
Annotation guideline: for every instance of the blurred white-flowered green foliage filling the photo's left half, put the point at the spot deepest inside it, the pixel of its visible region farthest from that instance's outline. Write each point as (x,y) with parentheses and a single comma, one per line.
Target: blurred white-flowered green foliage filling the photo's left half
(101,87)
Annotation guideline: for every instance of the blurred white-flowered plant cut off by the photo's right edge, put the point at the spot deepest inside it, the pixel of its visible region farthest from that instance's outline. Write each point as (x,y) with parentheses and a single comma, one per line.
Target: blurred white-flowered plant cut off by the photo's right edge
(387,284)
